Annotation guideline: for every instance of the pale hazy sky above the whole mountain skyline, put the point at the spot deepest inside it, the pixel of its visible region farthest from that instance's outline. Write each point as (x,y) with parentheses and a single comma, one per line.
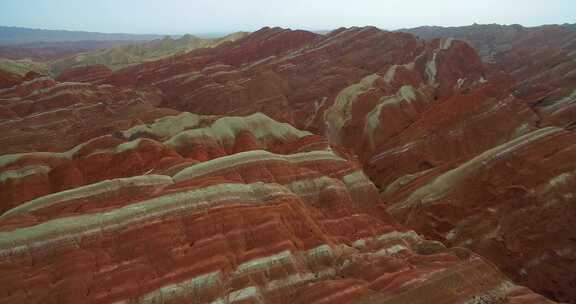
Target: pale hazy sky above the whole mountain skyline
(210,16)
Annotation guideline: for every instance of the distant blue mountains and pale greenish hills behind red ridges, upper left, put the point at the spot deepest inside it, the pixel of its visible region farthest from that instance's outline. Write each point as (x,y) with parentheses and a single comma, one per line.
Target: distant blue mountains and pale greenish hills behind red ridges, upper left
(52,51)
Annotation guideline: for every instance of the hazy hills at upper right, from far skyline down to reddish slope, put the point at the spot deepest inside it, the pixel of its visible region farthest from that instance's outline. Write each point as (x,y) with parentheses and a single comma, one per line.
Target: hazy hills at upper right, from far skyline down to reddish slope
(541,59)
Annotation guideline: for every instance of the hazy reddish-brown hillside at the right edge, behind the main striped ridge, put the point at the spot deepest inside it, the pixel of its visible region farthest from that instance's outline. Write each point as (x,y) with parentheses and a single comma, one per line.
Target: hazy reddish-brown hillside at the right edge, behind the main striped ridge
(544,63)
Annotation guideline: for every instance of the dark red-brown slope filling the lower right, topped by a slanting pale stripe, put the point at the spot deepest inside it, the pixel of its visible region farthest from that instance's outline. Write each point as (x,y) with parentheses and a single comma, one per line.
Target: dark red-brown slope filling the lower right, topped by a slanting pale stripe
(518,196)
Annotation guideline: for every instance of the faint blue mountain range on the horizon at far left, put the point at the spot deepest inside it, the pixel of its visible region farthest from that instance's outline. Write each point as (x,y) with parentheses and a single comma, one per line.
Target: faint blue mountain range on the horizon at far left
(10,35)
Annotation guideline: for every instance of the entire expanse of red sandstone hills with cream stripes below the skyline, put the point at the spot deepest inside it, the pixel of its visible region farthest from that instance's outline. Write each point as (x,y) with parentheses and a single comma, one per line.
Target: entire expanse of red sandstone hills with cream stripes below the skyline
(464,153)
